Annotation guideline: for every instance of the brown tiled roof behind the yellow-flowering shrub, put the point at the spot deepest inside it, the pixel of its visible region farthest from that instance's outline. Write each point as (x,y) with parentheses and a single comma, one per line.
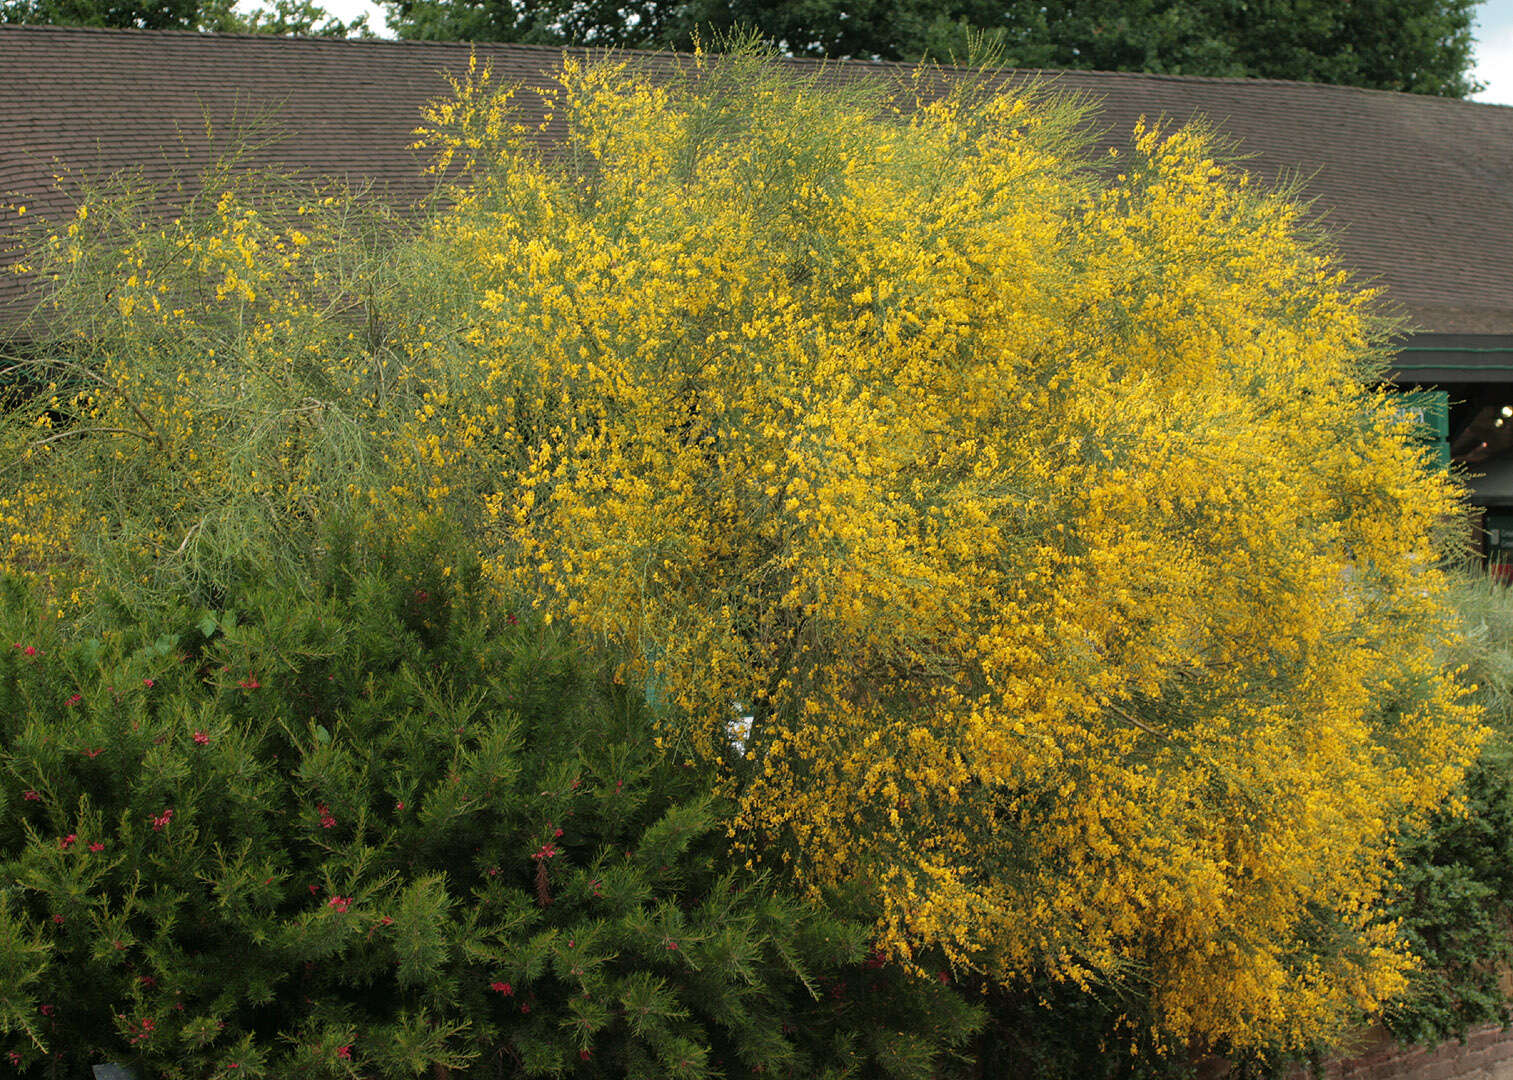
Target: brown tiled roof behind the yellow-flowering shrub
(1418,191)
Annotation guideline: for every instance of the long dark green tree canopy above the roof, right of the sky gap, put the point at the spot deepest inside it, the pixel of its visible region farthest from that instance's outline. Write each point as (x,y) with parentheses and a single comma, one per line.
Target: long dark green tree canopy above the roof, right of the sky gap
(1418,46)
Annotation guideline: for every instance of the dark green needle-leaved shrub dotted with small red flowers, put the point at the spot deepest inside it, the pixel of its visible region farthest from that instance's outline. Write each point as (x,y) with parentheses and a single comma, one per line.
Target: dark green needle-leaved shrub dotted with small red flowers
(390,827)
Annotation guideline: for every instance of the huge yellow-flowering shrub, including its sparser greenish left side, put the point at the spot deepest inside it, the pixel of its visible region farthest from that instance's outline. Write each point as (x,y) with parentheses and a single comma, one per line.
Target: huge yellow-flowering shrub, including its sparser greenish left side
(1024,535)
